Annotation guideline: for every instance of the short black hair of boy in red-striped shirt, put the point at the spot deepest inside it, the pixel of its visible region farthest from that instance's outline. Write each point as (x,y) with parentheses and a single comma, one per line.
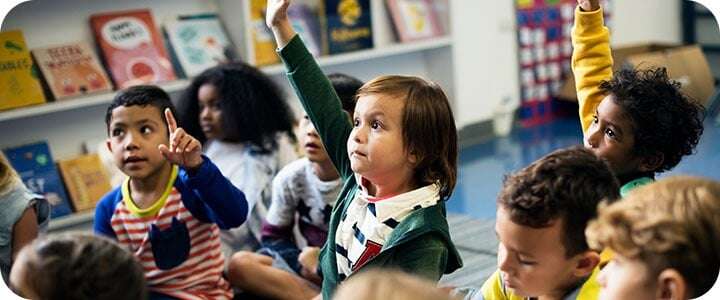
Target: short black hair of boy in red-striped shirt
(141,95)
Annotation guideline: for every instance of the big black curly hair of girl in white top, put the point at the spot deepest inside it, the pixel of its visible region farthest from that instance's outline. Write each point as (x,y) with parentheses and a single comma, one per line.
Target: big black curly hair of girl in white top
(253,107)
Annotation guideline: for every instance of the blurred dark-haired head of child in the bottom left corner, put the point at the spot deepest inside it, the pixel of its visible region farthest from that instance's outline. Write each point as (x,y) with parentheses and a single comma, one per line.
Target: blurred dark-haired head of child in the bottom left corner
(77,266)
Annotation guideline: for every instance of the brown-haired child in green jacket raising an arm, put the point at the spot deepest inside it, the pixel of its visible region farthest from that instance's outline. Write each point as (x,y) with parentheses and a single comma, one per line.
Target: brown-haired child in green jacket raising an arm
(397,159)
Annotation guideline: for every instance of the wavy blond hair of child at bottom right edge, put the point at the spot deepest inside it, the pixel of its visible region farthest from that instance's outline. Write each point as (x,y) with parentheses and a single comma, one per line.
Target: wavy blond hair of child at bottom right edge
(672,223)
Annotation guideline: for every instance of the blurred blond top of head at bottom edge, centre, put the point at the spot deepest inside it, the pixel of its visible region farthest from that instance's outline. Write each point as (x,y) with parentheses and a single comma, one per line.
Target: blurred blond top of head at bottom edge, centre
(389,284)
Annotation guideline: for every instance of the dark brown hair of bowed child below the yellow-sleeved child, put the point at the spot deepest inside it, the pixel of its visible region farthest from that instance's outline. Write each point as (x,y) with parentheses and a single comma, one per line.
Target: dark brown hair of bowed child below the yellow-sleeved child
(568,185)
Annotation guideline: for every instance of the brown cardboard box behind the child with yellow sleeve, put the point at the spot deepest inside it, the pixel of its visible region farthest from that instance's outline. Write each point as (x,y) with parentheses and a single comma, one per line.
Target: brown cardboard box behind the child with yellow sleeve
(686,64)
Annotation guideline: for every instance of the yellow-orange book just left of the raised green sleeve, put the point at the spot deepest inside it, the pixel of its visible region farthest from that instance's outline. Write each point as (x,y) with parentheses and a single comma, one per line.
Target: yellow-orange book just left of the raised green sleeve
(263,43)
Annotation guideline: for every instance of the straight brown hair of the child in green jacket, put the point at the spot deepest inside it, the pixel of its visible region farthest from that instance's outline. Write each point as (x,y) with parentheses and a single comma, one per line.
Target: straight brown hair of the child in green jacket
(428,127)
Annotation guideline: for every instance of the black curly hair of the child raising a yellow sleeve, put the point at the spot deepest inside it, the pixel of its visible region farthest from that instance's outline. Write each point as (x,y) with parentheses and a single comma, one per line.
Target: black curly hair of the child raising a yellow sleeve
(665,121)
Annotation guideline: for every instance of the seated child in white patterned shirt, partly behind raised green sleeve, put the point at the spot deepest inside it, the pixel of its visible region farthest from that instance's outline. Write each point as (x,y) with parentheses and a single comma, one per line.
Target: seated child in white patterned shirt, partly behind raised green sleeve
(304,193)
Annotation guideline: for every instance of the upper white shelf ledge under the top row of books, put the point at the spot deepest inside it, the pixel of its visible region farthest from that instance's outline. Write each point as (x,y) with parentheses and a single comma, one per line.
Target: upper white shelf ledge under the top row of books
(177,85)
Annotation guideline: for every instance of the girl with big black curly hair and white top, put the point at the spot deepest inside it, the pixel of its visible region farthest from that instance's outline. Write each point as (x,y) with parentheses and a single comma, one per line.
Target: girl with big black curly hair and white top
(241,118)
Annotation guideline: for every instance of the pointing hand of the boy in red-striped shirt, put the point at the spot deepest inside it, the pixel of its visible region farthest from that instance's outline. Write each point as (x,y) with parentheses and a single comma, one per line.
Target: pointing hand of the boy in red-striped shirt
(184,150)
